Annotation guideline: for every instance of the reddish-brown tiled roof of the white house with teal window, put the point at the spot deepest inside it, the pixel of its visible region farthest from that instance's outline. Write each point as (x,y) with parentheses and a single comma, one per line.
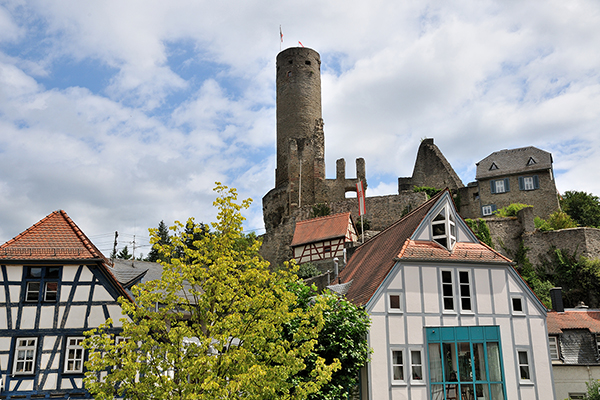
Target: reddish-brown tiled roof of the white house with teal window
(372,262)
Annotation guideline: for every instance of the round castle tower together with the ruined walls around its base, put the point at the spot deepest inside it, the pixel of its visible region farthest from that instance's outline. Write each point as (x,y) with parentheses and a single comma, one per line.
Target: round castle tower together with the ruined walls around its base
(300,175)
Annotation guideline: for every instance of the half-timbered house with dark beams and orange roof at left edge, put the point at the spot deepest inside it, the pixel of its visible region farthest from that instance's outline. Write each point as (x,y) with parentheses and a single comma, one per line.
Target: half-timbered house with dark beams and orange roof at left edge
(55,285)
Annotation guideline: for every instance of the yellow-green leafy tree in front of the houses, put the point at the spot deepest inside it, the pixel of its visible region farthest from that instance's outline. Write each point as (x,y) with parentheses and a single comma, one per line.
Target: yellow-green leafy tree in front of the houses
(216,326)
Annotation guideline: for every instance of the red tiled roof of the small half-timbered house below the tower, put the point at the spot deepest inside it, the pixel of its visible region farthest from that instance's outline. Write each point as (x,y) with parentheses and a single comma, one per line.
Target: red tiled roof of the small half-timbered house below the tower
(321,228)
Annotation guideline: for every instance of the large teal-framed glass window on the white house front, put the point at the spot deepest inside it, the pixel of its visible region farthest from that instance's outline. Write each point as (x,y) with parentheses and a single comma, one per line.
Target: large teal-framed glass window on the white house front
(466,377)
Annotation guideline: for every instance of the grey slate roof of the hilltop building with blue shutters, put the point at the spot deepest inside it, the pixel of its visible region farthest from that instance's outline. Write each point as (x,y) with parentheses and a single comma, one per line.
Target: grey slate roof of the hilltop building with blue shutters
(513,161)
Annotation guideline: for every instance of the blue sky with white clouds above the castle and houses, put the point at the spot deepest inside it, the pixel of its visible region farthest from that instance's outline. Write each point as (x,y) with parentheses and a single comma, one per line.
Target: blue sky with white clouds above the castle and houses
(124,113)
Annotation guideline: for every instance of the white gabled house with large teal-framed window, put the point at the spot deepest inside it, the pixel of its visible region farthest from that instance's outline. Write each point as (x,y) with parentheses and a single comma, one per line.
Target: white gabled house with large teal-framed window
(451,318)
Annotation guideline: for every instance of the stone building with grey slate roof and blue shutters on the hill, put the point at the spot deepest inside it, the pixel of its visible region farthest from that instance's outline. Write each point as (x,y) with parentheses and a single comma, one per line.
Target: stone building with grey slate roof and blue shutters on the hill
(522,175)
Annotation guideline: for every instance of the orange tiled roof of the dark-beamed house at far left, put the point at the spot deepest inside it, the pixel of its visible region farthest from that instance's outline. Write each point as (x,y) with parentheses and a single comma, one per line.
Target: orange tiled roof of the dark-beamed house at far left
(55,237)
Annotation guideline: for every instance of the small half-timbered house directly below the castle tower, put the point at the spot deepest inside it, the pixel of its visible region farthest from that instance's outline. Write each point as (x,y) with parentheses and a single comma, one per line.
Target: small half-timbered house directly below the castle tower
(322,238)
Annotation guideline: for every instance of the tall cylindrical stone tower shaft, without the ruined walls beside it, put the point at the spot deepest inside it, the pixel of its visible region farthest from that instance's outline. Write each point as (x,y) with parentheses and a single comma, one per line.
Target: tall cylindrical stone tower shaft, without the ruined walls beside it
(300,139)
